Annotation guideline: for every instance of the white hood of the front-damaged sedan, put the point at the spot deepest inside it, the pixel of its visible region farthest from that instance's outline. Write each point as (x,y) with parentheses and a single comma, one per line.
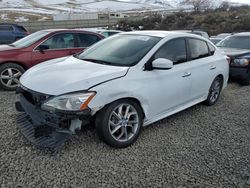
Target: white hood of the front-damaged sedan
(68,74)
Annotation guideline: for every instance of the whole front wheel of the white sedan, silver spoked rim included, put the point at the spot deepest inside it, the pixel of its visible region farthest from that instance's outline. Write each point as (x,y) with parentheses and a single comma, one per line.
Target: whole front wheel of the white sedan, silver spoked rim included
(119,123)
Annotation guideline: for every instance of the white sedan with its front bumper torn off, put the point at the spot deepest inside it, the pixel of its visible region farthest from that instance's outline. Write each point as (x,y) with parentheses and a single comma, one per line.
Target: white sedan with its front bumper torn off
(122,83)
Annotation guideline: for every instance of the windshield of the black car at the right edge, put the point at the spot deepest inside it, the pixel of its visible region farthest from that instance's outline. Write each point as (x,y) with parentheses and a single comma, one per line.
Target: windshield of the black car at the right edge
(241,42)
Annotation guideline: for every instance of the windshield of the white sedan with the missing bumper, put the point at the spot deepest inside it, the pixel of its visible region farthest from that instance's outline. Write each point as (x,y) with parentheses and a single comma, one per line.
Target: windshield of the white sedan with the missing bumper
(120,50)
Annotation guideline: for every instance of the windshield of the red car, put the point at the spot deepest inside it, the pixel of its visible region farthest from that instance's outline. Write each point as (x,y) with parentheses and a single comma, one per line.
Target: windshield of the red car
(30,39)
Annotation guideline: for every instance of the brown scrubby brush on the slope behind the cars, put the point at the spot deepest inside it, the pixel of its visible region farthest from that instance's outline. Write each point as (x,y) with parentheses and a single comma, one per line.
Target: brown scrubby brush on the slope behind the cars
(223,19)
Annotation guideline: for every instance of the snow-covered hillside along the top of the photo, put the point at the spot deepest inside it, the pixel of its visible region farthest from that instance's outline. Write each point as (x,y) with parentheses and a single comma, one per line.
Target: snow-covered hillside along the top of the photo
(28,10)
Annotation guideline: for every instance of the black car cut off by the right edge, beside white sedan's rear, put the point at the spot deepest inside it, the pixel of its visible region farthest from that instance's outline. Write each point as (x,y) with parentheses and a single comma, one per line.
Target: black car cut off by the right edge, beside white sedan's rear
(237,47)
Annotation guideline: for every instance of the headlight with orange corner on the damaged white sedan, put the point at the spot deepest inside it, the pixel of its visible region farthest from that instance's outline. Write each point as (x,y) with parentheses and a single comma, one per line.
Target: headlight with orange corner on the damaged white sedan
(69,102)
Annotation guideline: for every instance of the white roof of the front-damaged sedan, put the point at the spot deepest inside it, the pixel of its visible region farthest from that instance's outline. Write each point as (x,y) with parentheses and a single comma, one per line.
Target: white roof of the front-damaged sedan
(162,34)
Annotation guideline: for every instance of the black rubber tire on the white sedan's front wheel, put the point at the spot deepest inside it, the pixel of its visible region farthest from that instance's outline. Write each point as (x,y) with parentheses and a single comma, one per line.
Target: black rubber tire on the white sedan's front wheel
(103,126)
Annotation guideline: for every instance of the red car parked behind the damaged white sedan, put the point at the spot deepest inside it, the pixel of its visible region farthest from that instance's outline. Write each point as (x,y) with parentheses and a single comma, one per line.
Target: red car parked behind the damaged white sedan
(40,46)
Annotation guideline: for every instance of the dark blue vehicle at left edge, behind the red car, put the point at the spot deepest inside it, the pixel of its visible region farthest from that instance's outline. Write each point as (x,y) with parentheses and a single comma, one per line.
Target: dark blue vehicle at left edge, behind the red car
(11,32)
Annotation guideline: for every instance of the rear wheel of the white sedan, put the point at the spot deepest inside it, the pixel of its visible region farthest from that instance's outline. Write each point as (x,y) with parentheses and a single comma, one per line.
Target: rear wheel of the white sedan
(214,95)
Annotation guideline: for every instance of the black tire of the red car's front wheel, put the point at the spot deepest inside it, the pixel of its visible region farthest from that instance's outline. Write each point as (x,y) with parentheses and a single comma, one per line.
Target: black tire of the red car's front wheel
(16,70)
